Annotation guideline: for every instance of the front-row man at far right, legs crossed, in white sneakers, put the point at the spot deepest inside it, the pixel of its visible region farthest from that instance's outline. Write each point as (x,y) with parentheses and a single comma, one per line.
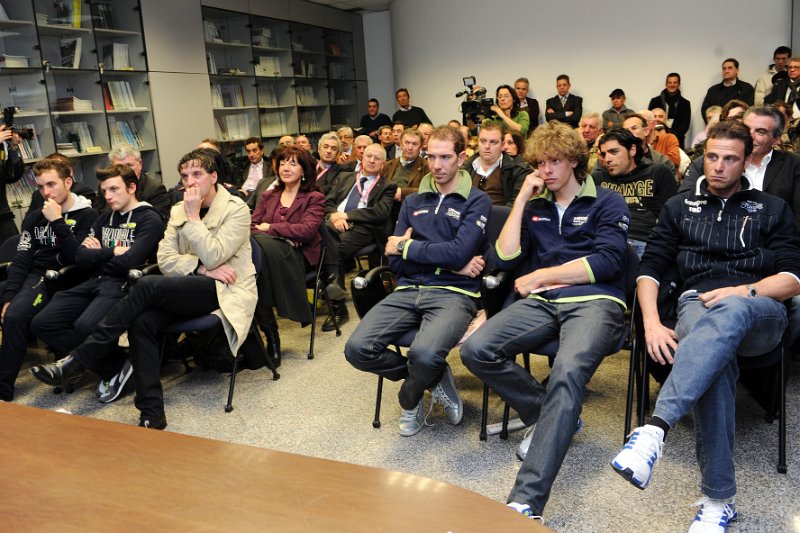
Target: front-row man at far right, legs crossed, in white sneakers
(733,280)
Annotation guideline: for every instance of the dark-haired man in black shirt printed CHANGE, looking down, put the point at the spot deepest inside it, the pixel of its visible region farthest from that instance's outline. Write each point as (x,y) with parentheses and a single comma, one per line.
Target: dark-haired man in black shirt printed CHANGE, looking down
(645,187)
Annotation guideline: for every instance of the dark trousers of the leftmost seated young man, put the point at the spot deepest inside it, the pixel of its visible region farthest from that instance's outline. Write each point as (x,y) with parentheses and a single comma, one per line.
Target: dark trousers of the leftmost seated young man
(25,305)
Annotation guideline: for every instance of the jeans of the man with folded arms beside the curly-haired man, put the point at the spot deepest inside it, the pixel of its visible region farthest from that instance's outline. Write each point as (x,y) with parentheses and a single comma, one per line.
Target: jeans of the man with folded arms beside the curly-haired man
(442,317)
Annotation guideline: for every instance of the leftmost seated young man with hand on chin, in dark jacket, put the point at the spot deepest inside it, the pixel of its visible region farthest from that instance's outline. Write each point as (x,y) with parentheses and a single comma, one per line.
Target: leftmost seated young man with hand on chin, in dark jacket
(49,240)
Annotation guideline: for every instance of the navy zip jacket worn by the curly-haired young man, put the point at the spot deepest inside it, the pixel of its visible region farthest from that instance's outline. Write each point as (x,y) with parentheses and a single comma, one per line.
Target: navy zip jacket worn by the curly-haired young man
(593,230)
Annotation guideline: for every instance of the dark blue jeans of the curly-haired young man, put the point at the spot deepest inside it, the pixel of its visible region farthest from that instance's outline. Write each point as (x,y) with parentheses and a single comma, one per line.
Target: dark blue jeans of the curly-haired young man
(587,332)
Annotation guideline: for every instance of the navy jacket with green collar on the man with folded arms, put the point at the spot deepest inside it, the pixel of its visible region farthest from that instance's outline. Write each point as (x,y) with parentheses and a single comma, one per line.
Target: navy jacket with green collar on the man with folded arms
(446,233)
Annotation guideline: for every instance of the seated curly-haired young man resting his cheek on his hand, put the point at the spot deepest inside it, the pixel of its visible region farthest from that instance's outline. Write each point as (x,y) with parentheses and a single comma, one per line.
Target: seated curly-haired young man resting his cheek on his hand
(569,242)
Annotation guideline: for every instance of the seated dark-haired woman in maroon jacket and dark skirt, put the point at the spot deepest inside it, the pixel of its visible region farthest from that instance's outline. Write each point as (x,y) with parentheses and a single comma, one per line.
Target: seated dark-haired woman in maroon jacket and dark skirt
(285,224)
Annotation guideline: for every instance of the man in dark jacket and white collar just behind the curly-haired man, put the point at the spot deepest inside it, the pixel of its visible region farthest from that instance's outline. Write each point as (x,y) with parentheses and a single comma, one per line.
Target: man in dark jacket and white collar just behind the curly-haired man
(494,172)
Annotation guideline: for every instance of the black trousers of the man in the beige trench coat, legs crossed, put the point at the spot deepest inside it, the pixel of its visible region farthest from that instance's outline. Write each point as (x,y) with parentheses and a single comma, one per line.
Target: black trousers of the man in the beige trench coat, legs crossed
(151,305)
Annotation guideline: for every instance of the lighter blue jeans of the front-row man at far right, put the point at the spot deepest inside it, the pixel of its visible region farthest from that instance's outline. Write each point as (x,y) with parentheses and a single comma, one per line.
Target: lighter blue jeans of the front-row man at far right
(705,371)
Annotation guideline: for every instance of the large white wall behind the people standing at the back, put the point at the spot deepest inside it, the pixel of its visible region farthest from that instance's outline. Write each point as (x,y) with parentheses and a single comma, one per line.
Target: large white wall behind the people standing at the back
(601,45)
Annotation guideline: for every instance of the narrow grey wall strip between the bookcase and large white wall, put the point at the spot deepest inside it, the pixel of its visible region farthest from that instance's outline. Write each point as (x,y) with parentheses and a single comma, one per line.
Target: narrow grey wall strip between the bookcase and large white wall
(380,72)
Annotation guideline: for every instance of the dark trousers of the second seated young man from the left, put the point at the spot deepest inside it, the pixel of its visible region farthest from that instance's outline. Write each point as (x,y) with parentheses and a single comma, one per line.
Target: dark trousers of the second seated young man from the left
(74,314)
